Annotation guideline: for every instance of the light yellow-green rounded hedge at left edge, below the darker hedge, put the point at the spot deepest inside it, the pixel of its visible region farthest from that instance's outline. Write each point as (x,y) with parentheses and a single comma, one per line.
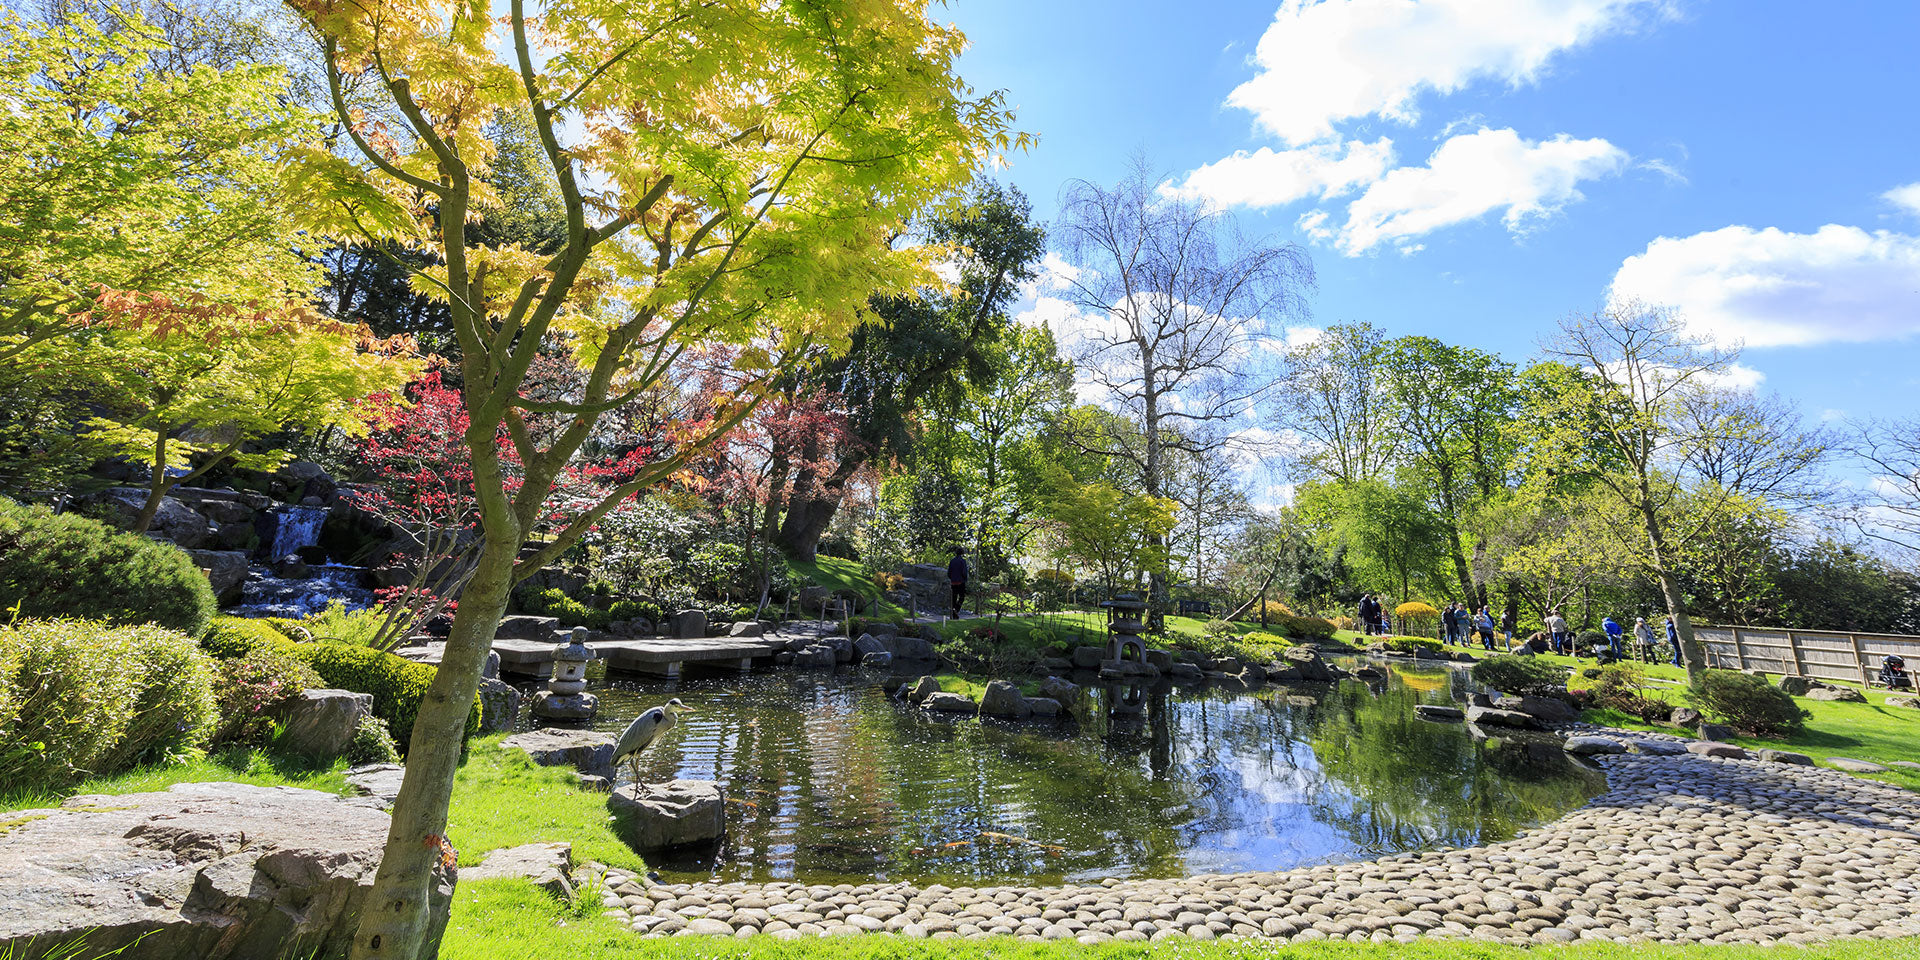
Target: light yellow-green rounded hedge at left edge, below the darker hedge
(85,698)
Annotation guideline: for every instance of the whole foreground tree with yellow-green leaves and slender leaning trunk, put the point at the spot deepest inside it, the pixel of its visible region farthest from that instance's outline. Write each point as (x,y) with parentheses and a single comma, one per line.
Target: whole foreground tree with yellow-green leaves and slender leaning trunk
(734,174)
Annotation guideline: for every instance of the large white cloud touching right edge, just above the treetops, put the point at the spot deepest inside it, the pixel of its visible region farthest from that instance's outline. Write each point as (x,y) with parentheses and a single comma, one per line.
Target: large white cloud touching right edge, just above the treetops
(1773,289)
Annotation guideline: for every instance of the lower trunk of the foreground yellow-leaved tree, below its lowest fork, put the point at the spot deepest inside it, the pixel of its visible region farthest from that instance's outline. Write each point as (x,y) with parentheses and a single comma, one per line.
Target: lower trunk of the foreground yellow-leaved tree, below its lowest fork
(395,923)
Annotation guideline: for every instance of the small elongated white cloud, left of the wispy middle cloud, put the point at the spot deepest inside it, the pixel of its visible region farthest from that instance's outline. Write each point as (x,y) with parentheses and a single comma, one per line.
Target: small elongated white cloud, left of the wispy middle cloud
(1278,178)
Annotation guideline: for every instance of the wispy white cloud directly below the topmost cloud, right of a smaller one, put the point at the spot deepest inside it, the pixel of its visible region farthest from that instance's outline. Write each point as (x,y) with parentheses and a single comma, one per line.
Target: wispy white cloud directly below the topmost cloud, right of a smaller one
(1472,176)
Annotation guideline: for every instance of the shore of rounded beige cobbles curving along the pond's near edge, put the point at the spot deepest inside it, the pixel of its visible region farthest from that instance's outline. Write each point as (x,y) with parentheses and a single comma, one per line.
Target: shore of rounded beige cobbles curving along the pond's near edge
(1681,850)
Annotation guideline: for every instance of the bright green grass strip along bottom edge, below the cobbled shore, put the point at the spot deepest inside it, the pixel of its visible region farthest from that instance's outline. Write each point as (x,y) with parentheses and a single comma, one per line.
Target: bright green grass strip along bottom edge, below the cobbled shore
(512,921)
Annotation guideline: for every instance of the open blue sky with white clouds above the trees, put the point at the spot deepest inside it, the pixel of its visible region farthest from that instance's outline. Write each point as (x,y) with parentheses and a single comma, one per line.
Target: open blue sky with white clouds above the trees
(1476,170)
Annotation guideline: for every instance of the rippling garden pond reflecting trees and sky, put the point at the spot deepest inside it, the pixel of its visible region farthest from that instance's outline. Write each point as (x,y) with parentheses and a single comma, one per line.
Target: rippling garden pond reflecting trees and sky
(832,782)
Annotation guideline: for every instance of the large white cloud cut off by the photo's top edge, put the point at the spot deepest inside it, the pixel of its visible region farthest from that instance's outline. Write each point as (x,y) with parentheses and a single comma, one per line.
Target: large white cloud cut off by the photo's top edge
(1330,60)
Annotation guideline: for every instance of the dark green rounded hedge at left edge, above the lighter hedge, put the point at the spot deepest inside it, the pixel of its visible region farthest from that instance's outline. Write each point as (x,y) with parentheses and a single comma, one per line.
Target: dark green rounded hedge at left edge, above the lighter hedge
(68,565)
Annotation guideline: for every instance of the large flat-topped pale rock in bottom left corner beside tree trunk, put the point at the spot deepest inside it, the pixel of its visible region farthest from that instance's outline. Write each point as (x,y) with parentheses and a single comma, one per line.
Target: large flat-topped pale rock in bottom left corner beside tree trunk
(201,871)
